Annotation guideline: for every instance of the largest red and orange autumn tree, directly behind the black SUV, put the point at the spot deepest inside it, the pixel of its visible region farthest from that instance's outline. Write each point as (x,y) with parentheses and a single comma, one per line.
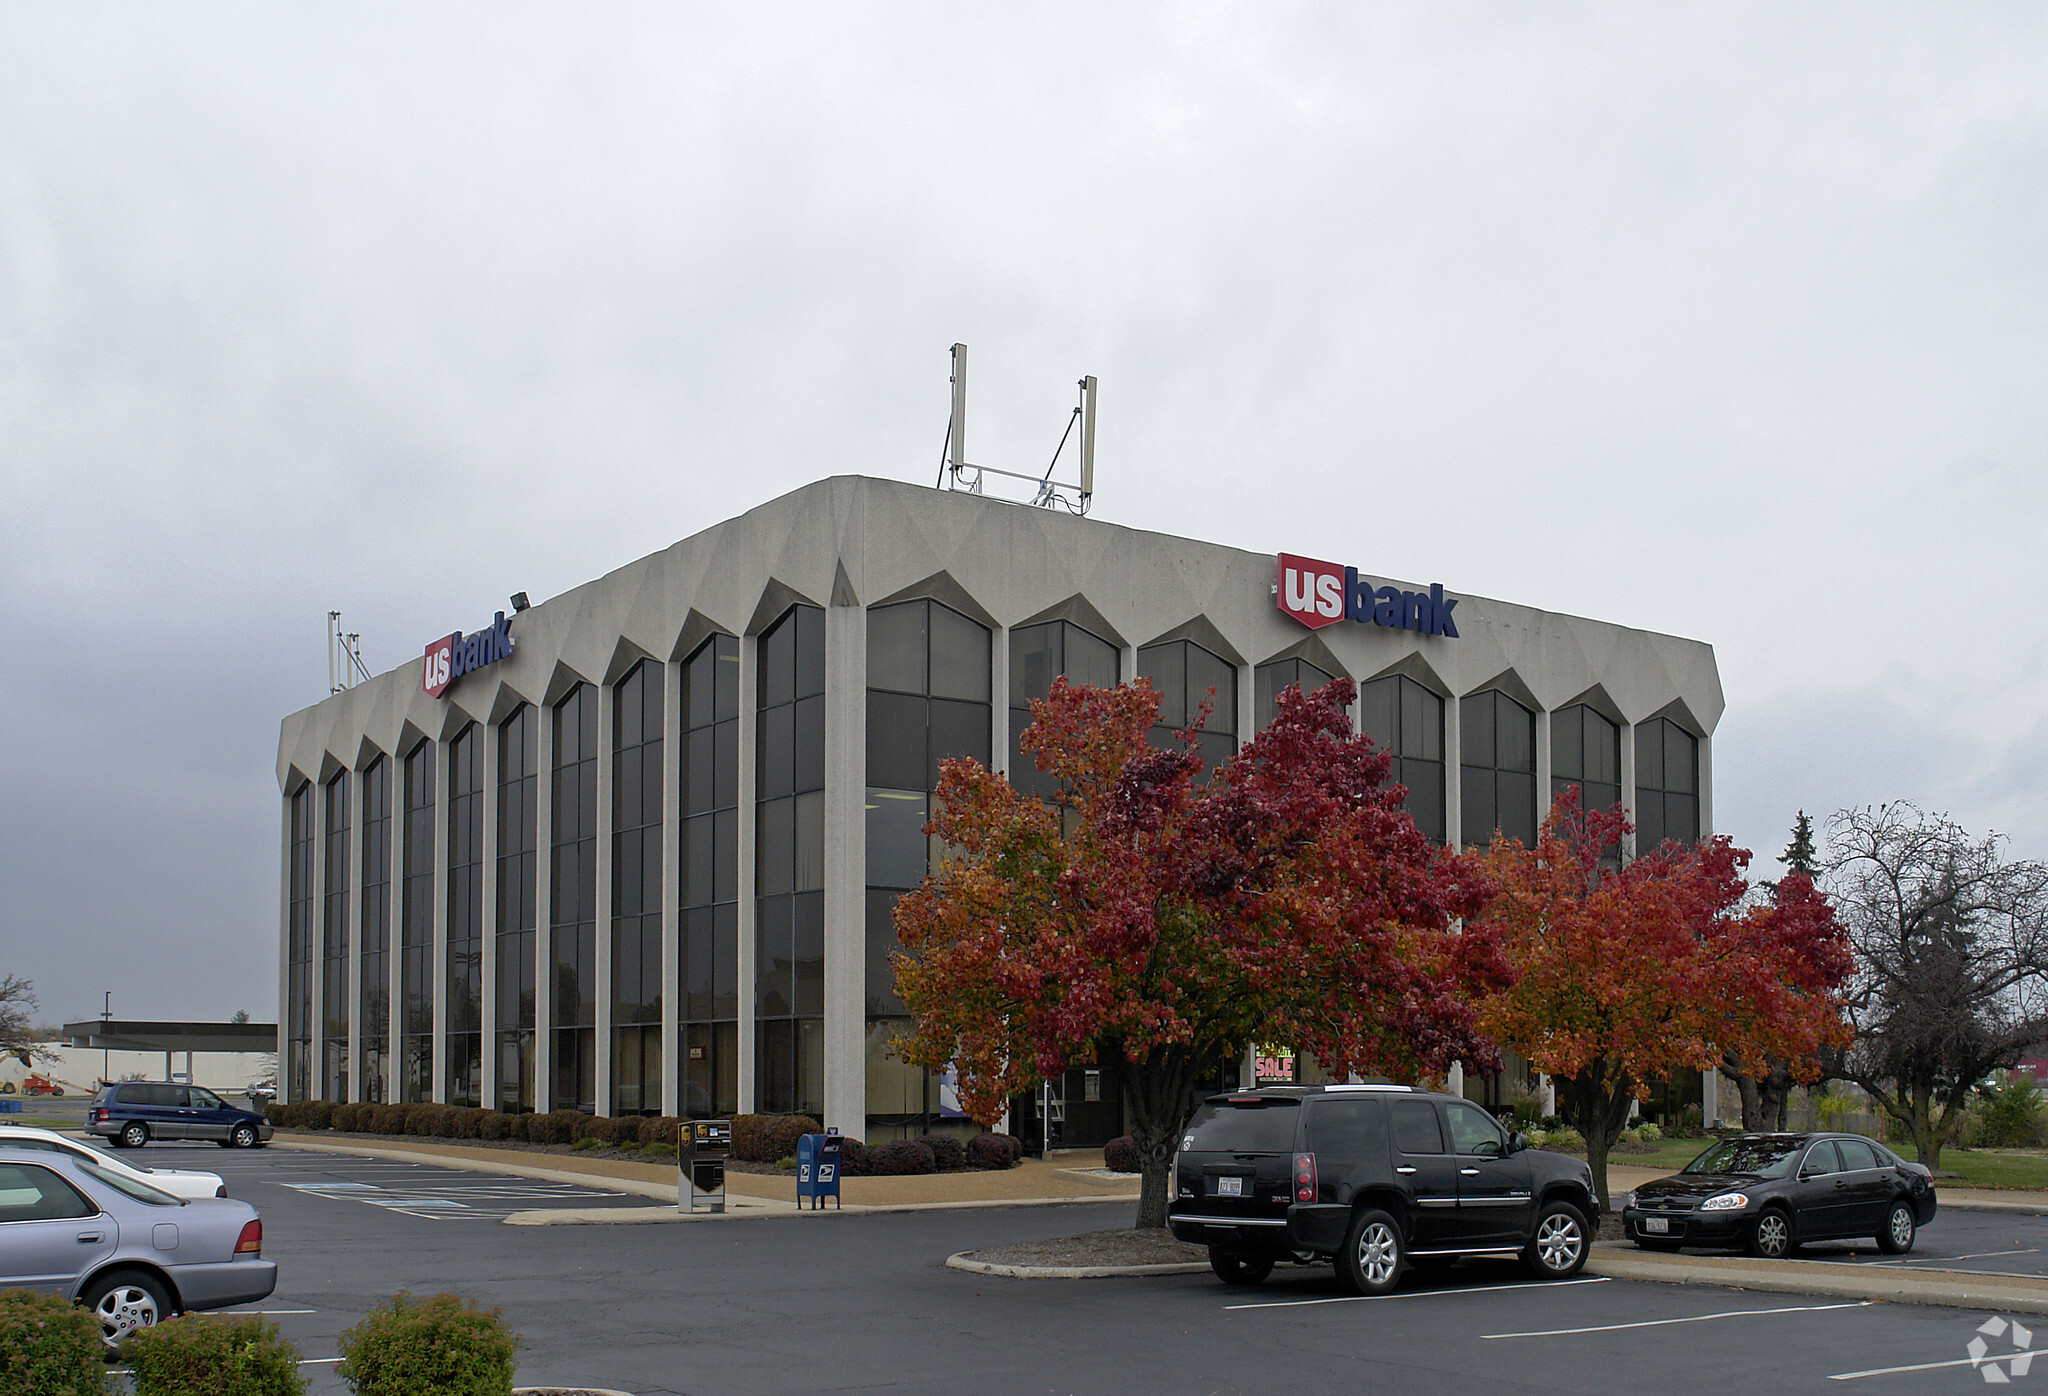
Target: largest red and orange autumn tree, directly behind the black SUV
(1160,924)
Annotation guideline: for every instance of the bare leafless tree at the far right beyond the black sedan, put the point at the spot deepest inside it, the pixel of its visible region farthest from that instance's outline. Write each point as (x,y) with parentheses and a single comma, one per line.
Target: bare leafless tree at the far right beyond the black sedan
(1953,949)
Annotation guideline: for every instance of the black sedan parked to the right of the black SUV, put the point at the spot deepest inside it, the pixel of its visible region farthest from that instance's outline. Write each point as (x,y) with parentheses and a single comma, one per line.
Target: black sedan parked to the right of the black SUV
(1775,1192)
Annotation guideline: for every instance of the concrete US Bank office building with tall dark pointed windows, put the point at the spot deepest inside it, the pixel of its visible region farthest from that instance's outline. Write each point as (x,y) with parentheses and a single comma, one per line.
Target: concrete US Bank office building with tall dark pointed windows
(638,846)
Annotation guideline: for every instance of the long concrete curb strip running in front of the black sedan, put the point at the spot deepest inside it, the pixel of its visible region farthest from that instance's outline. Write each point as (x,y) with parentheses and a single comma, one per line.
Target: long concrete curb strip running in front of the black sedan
(2012,1295)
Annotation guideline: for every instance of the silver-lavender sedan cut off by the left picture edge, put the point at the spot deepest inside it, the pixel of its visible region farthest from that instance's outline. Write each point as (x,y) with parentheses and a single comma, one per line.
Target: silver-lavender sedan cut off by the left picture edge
(124,1250)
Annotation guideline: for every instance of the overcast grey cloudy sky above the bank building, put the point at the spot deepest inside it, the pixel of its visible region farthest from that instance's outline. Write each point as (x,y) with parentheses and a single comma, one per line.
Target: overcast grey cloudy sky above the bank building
(1717,320)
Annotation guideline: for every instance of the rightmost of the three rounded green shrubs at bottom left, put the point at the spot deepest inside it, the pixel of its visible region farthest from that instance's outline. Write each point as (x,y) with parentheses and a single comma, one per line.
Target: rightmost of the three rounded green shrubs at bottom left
(437,1346)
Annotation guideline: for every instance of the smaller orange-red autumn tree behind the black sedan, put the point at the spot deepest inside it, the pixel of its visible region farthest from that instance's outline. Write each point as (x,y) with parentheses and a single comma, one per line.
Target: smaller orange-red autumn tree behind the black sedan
(1631,973)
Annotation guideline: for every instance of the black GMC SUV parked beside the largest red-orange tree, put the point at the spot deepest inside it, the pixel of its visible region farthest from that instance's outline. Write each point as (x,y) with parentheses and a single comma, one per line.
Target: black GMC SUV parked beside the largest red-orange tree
(1373,1178)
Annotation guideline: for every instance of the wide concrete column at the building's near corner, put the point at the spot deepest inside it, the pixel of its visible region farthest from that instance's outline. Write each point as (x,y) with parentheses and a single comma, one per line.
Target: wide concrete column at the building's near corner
(847,859)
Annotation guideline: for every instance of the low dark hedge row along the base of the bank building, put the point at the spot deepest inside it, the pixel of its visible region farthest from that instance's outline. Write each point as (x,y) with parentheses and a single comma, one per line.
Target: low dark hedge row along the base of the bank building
(757,1139)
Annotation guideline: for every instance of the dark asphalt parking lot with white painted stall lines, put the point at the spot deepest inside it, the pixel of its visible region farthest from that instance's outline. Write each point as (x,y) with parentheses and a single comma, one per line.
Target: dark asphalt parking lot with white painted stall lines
(863,1303)
